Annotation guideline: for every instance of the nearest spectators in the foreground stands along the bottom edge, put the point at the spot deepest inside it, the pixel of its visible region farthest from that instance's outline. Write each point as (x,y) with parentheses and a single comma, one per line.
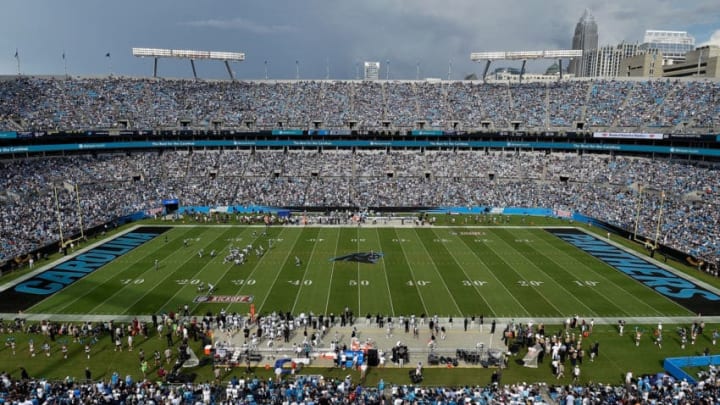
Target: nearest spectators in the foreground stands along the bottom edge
(317,390)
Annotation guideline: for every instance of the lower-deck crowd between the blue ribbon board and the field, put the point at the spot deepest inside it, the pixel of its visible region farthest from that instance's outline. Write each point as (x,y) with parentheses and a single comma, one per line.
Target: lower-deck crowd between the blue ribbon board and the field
(614,189)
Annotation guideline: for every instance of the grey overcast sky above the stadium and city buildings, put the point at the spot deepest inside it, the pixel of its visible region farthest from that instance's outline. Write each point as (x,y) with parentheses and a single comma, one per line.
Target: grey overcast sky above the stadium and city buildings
(322,35)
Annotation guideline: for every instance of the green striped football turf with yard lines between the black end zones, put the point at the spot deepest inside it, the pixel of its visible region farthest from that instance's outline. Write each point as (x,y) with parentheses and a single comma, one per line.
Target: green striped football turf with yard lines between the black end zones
(448,271)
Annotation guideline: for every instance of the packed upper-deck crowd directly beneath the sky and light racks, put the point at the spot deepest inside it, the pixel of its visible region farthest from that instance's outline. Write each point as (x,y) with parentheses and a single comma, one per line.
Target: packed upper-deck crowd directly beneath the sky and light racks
(93,103)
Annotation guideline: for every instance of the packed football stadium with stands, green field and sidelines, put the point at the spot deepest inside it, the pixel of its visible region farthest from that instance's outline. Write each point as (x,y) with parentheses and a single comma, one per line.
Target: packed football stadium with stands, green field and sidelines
(358,241)
